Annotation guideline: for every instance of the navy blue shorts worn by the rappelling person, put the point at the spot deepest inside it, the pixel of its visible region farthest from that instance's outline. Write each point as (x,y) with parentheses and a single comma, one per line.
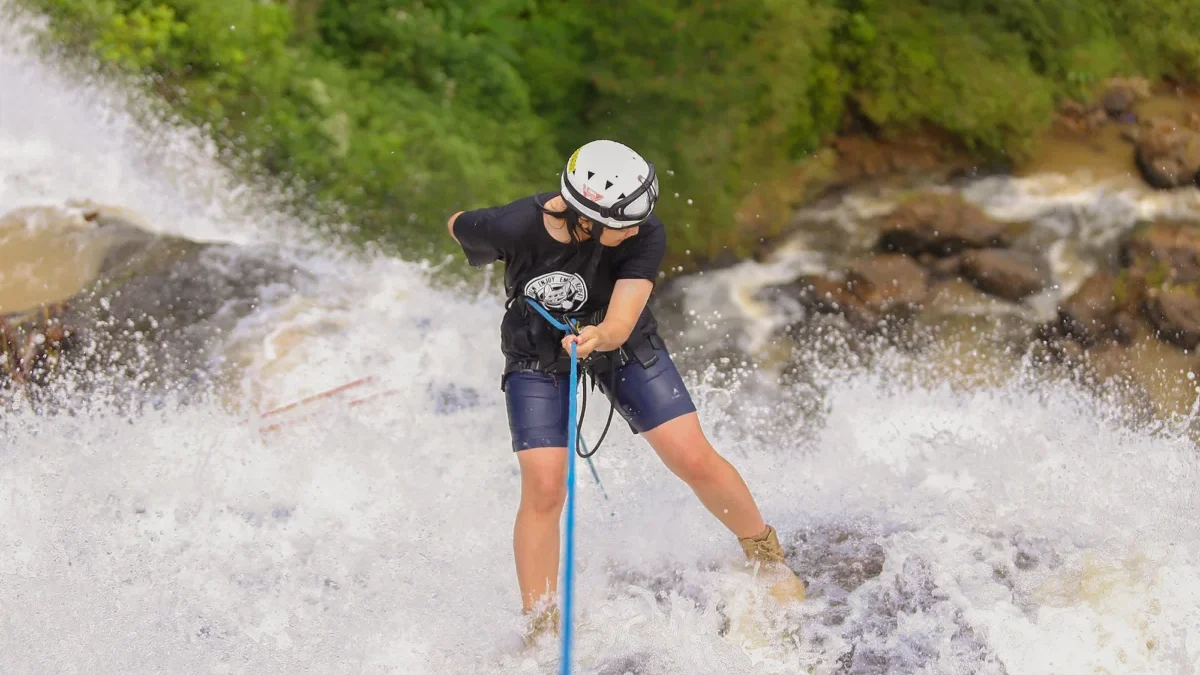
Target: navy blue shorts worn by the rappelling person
(645,397)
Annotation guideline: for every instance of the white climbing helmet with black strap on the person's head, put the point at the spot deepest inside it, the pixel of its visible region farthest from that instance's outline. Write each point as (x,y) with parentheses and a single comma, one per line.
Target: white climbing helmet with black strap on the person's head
(611,184)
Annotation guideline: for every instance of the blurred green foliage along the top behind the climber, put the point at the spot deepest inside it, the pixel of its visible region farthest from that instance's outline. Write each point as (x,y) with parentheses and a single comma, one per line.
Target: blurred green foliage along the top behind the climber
(406,111)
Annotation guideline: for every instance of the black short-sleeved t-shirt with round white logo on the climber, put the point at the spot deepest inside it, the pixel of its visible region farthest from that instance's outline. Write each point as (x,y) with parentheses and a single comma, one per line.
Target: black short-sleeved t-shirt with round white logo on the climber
(574,278)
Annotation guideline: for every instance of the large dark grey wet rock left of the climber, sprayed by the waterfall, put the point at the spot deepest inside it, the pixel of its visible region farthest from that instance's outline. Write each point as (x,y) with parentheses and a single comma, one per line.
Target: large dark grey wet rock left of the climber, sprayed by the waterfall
(158,307)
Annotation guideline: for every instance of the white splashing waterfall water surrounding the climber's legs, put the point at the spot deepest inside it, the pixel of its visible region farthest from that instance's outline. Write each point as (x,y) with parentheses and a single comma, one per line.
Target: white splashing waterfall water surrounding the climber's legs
(1016,529)
